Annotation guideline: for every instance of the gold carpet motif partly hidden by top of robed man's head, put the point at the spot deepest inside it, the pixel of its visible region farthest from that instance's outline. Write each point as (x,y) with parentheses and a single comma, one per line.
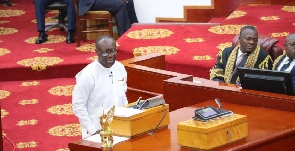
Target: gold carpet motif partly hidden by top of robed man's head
(226,29)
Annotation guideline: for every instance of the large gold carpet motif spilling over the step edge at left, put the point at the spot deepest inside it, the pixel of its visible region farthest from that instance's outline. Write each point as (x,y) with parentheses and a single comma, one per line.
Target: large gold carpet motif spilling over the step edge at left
(40,63)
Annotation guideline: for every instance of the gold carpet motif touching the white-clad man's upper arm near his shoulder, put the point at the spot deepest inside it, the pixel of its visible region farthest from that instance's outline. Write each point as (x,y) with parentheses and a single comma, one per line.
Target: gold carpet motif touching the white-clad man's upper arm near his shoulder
(62,90)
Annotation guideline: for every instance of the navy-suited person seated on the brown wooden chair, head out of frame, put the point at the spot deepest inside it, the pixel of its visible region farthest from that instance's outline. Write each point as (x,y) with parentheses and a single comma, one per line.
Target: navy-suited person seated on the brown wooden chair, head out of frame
(124,10)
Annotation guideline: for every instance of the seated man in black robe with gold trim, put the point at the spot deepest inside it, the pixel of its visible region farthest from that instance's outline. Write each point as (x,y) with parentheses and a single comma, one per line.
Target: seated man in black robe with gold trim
(246,54)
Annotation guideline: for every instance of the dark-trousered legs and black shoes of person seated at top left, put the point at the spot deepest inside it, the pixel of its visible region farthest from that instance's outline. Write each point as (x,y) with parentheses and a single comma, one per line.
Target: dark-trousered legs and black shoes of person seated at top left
(40,8)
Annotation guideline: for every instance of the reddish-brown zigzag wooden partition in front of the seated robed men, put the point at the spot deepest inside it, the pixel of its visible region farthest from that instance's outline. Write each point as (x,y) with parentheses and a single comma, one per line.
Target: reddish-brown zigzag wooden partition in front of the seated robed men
(179,90)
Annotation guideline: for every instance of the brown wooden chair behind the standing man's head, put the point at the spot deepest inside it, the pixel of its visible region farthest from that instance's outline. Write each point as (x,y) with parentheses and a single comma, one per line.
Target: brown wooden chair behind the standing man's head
(92,22)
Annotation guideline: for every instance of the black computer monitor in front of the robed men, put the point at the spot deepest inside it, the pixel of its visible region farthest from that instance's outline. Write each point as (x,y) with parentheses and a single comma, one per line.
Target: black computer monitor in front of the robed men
(266,80)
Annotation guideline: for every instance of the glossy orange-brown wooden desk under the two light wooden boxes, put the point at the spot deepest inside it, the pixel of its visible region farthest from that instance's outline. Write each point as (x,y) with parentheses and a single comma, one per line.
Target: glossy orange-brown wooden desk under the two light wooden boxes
(269,129)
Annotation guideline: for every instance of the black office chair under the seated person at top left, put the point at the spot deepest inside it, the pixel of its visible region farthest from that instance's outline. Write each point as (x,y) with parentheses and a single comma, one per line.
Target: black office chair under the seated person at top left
(61,7)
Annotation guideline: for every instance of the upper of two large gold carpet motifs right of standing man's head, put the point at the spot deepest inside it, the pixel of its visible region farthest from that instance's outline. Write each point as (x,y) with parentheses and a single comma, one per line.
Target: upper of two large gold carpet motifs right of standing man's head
(150,34)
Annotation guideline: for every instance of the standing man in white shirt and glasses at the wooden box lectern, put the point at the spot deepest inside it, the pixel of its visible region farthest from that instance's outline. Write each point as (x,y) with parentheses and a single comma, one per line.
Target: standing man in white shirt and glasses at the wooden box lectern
(100,85)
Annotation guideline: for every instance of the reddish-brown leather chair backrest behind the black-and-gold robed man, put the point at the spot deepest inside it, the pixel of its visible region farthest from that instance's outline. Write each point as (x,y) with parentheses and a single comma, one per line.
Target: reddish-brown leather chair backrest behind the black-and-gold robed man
(265,42)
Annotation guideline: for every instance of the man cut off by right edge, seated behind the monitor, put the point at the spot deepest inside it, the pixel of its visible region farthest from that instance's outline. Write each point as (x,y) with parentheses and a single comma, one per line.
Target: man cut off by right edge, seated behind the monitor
(286,61)
